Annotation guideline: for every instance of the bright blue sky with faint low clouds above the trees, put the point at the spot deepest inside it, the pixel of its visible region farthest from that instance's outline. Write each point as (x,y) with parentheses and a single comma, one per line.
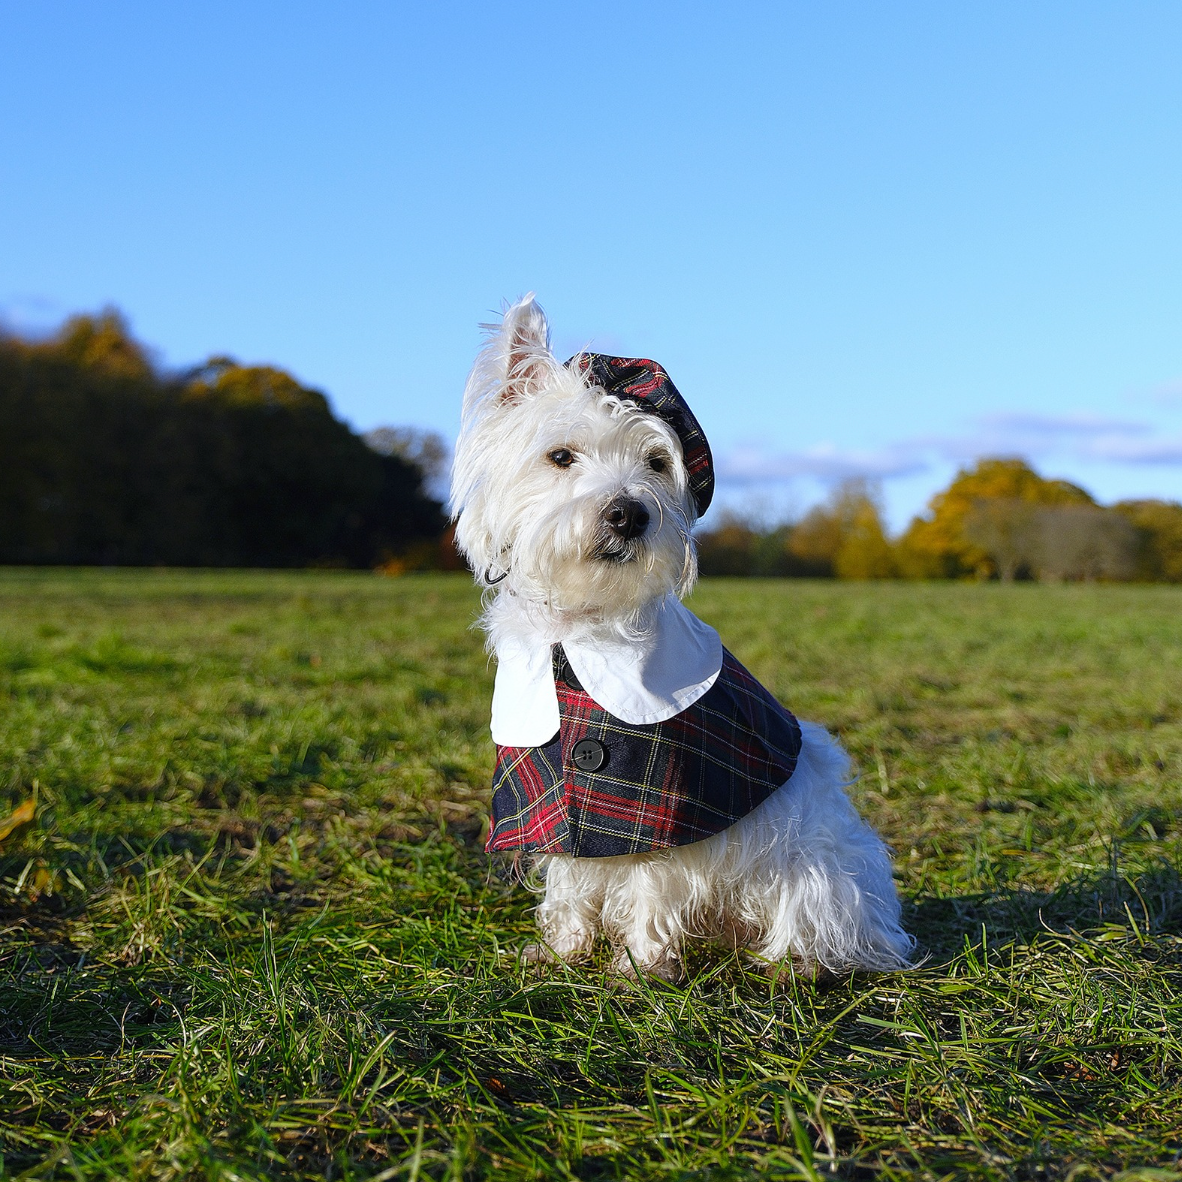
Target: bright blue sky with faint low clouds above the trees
(863,238)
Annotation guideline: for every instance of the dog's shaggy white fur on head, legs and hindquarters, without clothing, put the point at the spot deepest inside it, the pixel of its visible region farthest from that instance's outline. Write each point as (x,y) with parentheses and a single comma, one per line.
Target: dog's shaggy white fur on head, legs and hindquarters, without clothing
(801,879)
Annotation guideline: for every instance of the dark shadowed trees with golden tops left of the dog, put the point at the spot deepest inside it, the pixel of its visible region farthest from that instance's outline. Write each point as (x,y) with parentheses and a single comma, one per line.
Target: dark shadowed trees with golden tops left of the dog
(106,459)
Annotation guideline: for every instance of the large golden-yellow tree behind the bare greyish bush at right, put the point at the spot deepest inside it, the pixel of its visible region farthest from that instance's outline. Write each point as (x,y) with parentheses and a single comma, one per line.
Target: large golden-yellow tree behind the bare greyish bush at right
(937,545)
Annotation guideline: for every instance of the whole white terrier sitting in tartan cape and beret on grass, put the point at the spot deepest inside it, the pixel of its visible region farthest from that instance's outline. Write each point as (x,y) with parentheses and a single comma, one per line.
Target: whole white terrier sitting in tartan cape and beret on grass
(660,794)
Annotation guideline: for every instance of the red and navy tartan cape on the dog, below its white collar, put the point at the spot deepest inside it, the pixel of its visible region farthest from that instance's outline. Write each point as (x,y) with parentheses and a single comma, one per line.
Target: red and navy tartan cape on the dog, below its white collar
(659,785)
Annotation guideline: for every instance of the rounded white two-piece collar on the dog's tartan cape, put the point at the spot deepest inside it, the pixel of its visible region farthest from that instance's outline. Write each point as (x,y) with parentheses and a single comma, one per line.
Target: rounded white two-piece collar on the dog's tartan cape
(640,680)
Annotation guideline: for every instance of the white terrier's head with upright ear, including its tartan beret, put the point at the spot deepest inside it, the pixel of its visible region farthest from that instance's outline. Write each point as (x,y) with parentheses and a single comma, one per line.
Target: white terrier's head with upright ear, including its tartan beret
(568,488)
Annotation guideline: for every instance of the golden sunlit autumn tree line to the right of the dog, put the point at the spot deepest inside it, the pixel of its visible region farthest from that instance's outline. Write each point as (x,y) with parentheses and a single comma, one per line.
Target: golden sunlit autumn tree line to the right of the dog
(998,519)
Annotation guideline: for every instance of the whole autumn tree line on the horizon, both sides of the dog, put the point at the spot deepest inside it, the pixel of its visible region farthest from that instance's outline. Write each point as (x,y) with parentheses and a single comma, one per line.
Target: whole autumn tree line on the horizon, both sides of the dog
(108,459)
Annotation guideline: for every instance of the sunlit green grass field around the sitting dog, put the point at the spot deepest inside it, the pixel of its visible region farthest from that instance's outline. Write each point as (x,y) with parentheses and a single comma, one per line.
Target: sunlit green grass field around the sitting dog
(251,932)
